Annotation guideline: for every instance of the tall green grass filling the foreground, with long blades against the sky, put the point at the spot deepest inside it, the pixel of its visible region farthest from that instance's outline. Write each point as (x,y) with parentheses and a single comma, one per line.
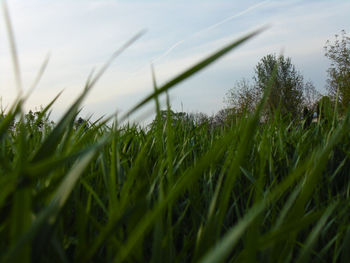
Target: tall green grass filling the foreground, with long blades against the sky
(175,192)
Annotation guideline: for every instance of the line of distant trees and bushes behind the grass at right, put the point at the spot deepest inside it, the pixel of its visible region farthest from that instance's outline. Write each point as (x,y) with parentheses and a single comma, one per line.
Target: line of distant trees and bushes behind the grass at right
(290,95)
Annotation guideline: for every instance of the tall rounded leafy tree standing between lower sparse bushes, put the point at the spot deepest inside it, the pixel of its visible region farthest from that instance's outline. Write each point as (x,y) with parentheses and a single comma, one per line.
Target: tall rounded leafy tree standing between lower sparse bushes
(287,87)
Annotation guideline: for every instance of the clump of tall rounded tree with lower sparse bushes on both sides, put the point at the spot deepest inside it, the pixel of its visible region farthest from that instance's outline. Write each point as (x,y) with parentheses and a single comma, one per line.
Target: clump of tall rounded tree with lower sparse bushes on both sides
(288,93)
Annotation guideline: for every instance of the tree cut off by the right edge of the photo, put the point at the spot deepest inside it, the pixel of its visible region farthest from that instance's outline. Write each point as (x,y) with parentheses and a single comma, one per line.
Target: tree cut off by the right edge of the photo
(339,71)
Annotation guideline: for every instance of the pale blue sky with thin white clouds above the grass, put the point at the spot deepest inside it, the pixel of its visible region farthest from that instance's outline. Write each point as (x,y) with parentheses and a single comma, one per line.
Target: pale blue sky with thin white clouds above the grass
(81,35)
